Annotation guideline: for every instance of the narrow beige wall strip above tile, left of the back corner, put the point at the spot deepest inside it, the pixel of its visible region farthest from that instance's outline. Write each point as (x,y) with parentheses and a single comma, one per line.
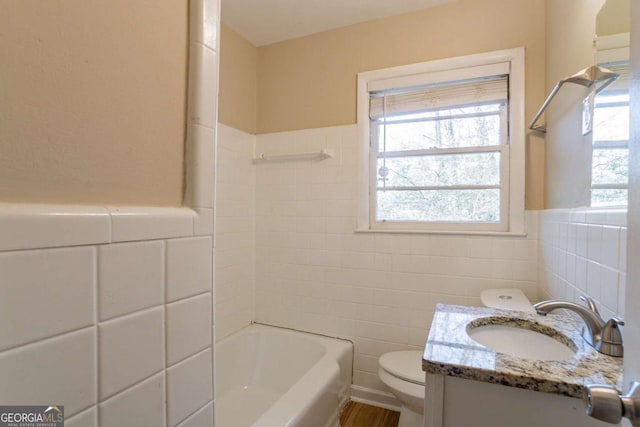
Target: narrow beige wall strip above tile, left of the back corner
(238,78)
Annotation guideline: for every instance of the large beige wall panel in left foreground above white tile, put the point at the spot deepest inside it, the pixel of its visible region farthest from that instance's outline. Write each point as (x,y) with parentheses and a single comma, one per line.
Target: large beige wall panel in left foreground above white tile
(93,101)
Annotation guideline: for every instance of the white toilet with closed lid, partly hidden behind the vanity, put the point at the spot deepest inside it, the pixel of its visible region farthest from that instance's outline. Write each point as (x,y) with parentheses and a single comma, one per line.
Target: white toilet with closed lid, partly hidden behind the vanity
(401,371)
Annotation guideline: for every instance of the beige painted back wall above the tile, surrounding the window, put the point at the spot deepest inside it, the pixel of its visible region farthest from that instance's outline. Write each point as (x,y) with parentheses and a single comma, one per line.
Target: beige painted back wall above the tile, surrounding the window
(311,81)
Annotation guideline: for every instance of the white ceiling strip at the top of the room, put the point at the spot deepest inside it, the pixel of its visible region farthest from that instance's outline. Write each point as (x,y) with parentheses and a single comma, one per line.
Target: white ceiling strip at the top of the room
(264,22)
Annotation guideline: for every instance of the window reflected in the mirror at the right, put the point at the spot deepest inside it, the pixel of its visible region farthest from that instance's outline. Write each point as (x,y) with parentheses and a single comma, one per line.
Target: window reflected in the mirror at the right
(610,161)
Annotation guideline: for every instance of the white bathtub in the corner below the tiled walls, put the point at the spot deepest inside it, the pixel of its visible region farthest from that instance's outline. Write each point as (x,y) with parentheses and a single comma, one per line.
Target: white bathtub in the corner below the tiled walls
(274,377)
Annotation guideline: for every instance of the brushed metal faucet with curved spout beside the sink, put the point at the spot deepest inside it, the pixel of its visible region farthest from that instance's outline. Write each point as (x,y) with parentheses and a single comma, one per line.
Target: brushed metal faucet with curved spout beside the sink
(603,336)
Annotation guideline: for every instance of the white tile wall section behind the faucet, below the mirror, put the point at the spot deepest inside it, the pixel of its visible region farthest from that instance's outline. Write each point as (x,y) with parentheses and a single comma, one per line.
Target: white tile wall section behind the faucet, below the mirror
(583,252)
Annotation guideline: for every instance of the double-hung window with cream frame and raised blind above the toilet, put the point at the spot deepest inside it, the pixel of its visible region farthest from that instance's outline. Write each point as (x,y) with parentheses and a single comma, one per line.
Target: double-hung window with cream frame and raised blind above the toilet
(444,145)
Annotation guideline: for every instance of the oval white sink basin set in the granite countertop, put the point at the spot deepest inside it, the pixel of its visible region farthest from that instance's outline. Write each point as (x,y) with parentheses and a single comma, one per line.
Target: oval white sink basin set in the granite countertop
(521,338)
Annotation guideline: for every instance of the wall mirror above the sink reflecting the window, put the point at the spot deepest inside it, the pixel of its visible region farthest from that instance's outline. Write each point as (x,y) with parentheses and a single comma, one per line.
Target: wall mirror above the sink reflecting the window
(610,136)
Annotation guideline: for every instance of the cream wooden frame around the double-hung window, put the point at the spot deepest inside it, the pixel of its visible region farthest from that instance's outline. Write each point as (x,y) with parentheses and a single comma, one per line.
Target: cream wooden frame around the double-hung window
(447,70)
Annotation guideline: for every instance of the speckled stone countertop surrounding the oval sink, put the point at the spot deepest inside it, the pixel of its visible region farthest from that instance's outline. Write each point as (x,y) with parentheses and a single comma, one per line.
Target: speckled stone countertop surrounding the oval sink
(450,351)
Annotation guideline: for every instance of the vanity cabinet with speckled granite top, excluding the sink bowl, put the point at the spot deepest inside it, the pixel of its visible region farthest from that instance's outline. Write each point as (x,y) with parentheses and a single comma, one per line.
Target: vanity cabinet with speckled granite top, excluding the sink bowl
(470,384)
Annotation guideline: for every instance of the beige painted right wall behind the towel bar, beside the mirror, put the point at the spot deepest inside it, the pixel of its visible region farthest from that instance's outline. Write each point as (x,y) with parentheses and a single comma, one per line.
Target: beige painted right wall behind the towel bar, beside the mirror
(570,32)
